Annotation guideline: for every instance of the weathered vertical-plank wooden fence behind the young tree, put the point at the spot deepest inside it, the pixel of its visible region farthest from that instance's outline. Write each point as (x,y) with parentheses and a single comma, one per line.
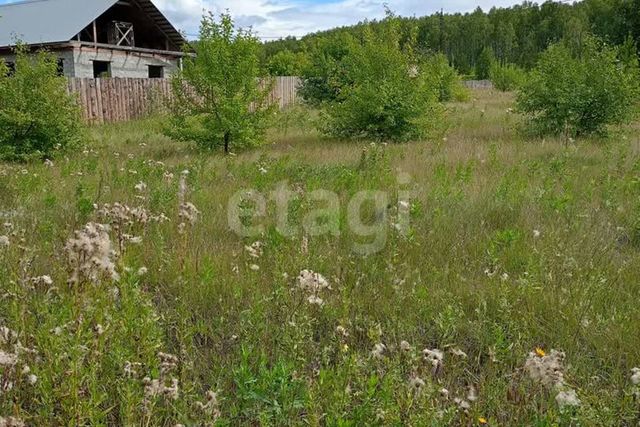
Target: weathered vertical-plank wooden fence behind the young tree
(121,99)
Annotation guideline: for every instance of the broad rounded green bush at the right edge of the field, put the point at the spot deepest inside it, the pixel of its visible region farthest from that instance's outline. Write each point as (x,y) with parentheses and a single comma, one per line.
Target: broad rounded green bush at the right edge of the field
(574,93)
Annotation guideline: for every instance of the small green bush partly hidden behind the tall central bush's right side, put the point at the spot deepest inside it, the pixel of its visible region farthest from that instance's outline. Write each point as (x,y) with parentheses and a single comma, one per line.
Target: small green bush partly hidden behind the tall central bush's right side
(444,79)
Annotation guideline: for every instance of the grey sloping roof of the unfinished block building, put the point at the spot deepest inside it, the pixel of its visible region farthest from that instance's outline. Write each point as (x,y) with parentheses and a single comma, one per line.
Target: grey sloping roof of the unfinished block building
(54,21)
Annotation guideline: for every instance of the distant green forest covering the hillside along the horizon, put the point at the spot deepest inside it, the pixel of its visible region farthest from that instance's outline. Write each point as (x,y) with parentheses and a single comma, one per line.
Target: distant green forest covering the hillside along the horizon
(514,35)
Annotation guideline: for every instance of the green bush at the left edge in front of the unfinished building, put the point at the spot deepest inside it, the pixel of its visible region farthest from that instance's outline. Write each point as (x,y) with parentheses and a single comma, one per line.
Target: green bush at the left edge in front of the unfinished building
(37,115)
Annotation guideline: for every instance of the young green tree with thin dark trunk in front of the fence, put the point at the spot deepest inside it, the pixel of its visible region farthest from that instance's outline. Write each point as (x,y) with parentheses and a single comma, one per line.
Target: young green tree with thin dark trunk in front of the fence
(218,98)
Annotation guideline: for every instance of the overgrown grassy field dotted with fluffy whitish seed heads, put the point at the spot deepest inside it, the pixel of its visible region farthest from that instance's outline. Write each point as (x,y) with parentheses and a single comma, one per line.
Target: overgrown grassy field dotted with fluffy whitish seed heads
(515,247)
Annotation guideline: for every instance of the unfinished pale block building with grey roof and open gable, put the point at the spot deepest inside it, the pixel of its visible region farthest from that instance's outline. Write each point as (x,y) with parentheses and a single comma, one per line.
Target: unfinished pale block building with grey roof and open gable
(96,38)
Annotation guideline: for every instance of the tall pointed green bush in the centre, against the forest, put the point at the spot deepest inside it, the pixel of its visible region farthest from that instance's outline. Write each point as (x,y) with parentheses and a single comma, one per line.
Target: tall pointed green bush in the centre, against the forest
(389,96)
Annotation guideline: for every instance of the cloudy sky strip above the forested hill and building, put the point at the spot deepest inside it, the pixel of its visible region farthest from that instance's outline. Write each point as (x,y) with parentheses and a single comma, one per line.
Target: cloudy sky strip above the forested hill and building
(279,18)
